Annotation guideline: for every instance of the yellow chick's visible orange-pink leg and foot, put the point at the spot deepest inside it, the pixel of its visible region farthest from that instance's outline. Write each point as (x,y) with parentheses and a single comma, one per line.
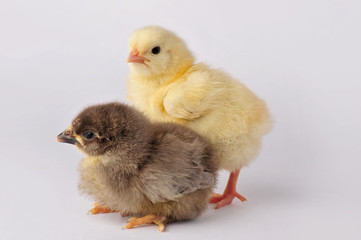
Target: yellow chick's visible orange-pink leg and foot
(229,193)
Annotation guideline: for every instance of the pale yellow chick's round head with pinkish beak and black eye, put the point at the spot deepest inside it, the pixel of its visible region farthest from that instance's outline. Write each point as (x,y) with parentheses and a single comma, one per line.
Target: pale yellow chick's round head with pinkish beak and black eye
(155,51)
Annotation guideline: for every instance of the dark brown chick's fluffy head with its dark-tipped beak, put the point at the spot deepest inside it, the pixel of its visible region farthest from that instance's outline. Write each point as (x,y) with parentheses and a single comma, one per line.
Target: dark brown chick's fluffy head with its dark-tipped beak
(103,129)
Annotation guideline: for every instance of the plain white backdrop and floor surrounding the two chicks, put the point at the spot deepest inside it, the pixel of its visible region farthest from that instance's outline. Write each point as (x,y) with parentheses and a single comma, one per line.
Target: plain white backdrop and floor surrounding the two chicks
(302,57)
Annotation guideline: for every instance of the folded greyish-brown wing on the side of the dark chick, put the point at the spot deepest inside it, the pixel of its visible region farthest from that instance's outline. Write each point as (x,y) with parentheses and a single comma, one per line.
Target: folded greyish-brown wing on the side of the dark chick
(176,174)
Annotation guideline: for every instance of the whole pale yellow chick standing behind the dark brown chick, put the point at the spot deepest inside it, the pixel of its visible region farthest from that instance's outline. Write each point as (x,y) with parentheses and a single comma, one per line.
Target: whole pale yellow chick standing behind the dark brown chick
(167,85)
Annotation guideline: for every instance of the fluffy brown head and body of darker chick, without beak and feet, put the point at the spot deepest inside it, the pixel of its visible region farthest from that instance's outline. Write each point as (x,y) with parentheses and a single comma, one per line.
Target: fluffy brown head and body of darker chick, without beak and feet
(139,168)
